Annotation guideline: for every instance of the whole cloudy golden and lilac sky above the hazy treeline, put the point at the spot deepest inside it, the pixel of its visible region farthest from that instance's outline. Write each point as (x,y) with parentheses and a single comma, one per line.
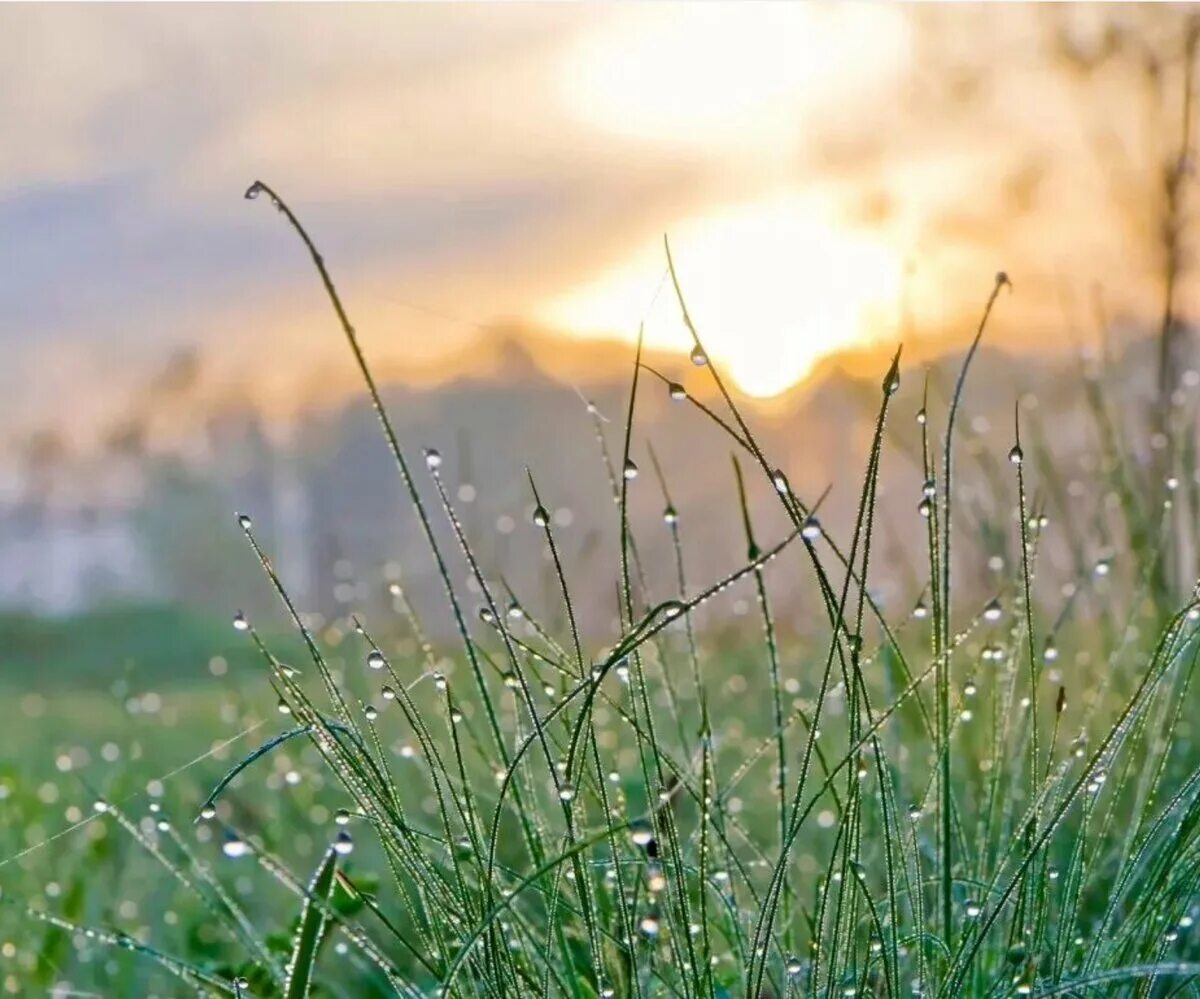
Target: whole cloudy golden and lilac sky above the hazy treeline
(830,177)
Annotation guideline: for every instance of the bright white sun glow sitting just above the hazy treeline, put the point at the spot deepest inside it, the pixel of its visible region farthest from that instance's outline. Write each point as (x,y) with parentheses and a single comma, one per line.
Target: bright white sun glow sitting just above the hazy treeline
(773,288)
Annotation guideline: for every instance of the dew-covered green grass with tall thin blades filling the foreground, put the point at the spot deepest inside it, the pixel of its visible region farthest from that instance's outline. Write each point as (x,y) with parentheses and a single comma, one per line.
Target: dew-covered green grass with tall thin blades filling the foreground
(983,795)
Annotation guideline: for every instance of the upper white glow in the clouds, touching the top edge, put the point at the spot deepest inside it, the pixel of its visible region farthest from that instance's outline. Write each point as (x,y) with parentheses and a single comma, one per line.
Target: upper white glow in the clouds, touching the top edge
(701,74)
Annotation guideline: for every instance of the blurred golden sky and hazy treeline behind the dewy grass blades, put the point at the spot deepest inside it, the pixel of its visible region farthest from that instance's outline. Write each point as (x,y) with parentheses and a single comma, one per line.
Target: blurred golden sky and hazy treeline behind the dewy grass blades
(491,192)
